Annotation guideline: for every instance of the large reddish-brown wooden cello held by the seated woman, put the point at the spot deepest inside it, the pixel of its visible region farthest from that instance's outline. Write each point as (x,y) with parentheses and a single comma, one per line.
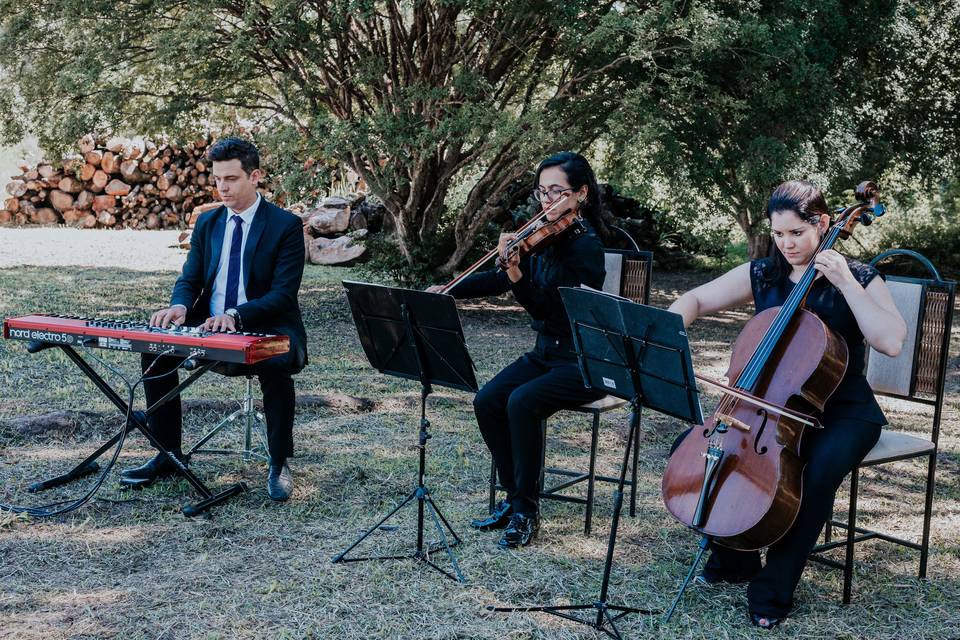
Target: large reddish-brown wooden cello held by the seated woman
(739,478)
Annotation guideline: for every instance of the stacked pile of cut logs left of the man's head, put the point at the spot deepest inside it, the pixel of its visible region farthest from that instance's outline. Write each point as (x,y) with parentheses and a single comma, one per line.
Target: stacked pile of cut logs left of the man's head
(119,183)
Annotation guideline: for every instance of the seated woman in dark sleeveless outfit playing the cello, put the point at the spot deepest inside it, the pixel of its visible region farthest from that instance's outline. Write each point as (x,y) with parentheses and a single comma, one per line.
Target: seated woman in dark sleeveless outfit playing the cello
(856,304)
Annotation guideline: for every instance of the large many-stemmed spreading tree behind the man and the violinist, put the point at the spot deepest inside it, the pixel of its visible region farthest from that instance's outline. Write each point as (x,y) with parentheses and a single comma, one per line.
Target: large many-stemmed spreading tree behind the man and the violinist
(410,93)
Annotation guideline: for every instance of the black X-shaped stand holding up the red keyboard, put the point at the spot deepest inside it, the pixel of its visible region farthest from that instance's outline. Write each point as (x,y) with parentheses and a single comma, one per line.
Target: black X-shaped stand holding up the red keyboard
(136,420)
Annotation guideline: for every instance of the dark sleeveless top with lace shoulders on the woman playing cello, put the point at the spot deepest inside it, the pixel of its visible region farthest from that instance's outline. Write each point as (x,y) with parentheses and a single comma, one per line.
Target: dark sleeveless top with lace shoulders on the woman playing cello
(853,397)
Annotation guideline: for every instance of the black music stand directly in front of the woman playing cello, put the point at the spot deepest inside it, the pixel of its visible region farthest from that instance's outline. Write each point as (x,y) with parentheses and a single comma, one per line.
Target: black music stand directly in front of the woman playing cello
(638,353)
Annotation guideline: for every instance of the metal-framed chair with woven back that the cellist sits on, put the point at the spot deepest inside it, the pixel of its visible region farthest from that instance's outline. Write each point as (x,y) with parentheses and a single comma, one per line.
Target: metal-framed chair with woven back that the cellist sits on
(916,376)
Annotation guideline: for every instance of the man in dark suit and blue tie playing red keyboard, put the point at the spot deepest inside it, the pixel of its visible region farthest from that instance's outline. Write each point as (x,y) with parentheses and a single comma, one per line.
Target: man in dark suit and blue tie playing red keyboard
(243,273)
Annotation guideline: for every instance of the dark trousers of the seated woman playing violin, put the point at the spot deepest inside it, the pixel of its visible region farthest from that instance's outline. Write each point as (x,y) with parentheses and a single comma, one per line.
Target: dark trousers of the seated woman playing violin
(510,407)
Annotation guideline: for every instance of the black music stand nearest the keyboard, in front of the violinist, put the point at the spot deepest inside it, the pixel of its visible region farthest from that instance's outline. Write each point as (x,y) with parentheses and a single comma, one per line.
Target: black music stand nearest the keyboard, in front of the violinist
(416,335)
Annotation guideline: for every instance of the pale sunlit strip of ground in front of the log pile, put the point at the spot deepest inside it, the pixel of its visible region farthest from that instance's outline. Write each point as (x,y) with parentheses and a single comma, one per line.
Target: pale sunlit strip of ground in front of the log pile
(124,249)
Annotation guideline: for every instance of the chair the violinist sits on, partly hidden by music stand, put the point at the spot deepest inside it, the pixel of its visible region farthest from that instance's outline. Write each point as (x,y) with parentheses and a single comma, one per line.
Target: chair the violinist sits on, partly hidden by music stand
(628,275)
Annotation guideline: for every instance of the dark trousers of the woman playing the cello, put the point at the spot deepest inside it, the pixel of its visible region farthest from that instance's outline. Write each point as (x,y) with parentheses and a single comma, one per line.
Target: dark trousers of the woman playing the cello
(831,455)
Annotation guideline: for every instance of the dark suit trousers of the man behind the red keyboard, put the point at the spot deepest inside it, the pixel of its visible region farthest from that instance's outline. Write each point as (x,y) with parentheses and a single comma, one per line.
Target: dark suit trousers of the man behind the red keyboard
(276,383)
